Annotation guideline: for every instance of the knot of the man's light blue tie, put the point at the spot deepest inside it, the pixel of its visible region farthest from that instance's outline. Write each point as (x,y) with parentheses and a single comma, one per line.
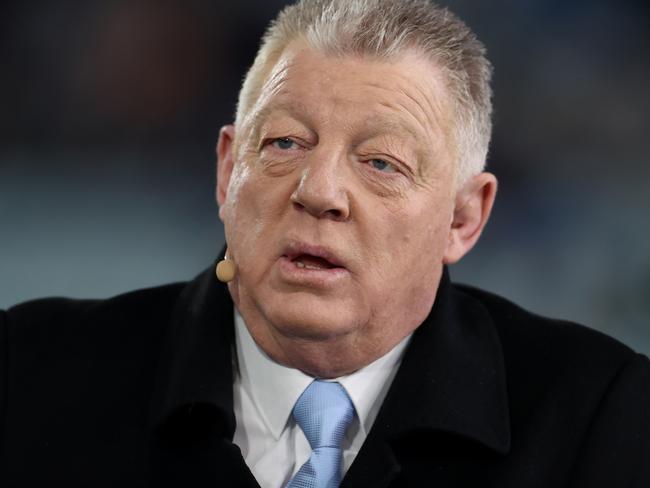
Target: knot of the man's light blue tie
(324,412)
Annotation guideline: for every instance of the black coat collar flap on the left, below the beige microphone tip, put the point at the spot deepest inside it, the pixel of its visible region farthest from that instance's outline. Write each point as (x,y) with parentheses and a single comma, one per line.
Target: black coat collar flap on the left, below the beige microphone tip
(195,375)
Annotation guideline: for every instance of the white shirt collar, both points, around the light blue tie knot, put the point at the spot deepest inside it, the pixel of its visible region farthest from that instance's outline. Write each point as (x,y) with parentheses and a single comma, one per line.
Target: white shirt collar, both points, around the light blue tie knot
(263,378)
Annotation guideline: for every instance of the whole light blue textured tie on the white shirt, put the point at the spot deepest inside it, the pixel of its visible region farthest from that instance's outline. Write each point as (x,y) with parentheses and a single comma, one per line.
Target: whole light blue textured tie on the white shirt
(324,412)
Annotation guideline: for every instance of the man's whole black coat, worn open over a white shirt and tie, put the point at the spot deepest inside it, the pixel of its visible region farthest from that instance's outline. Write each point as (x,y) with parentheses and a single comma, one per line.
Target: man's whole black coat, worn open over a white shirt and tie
(137,391)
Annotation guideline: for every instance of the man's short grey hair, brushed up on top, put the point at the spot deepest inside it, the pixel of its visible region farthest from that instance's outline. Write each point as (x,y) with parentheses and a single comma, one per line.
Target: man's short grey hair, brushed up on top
(383,29)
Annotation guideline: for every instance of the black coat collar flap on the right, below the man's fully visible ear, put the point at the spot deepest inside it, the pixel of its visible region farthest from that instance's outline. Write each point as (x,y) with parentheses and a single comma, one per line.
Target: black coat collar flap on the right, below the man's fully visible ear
(452,377)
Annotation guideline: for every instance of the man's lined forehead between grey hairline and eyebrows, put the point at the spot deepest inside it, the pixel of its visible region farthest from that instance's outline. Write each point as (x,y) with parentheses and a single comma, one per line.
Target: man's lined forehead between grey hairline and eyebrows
(405,93)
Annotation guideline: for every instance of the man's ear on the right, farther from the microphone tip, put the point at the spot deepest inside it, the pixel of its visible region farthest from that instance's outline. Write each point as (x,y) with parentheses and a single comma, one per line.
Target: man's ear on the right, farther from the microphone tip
(471,212)
